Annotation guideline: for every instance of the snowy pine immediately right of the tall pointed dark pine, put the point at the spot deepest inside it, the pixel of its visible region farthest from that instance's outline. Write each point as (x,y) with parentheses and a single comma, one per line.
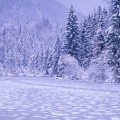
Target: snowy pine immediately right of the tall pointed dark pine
(85,48)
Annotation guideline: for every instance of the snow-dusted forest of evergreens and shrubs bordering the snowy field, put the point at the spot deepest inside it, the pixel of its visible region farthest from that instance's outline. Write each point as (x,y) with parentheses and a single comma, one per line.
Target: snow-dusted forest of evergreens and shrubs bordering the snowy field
(89,50)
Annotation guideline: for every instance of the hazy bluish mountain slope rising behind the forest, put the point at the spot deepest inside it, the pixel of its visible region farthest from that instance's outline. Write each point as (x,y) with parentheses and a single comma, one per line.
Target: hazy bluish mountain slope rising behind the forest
(32,10)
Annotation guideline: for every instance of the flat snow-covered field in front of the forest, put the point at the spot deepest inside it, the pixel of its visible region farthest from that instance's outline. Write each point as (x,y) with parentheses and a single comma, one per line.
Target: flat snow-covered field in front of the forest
(42,98)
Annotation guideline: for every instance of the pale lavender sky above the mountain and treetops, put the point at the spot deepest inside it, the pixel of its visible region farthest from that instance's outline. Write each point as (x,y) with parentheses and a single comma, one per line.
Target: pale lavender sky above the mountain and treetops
(84,6)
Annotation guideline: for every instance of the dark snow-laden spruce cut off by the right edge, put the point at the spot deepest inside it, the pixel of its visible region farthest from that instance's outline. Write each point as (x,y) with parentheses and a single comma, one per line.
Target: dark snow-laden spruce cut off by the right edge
(113,39)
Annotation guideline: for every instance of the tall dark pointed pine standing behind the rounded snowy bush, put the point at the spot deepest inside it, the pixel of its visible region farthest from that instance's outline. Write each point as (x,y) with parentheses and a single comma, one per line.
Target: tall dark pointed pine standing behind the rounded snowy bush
(71,45)
